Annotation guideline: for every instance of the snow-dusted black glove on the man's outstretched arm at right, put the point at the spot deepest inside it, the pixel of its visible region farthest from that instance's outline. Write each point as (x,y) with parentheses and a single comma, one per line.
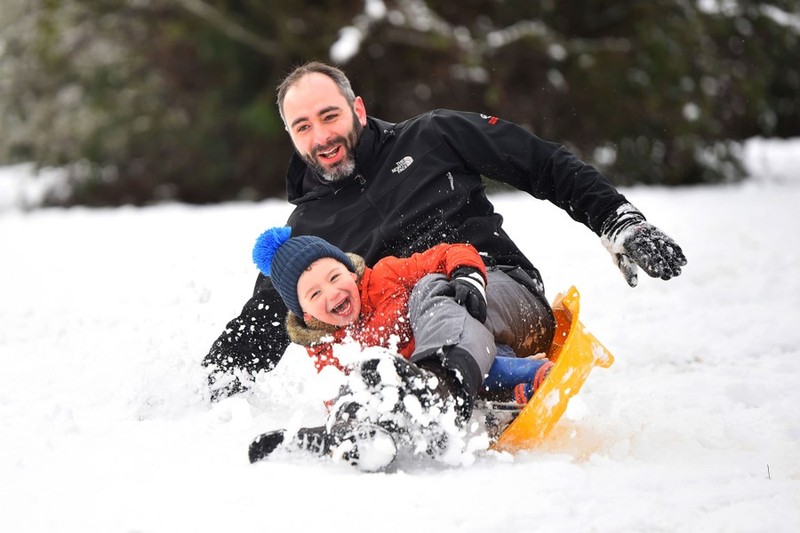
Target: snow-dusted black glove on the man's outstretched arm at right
(633,242)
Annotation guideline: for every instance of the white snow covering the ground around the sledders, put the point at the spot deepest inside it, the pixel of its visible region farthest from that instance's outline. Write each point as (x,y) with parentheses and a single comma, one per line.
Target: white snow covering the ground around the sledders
(106,425)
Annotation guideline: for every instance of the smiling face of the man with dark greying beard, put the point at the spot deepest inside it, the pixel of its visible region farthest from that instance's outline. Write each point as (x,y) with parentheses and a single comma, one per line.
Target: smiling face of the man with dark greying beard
(323,127)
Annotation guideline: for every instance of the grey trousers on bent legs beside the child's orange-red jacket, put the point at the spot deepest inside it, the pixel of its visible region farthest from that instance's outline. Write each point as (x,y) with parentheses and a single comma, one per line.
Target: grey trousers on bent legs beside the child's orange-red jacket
(515,317)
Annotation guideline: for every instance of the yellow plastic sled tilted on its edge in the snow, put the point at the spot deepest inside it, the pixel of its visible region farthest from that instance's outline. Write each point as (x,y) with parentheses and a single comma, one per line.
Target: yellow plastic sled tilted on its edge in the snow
(575,352)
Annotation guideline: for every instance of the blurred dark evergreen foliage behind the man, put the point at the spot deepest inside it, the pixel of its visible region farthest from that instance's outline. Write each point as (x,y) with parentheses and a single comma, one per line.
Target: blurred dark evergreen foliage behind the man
(154,100)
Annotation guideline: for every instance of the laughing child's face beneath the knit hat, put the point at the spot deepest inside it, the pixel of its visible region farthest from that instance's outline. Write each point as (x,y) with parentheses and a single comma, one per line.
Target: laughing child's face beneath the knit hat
(327,291)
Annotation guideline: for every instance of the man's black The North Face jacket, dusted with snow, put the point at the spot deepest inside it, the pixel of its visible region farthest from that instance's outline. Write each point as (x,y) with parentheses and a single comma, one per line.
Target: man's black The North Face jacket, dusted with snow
(417,183)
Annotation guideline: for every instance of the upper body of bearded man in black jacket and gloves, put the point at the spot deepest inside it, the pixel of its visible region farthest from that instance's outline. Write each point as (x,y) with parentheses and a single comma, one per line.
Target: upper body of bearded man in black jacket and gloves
(378,189)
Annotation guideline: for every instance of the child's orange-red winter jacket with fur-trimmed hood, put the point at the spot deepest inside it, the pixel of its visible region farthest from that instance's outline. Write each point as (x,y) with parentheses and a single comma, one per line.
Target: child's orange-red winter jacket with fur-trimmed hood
(384,290)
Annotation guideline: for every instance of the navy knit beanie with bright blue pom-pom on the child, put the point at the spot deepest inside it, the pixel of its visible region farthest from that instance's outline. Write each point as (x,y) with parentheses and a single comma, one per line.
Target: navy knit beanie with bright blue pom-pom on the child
(284,258)
